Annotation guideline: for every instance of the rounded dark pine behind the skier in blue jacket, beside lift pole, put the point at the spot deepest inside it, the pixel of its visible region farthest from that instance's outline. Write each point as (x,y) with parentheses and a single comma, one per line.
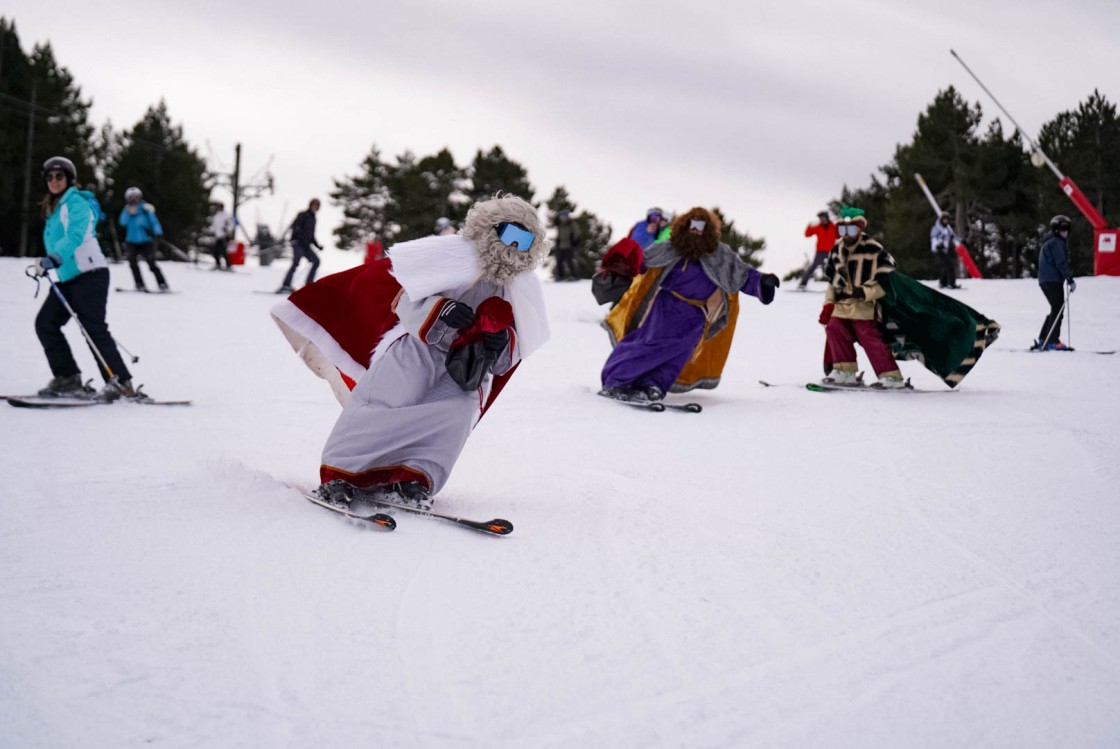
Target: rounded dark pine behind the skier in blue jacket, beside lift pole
(155,157)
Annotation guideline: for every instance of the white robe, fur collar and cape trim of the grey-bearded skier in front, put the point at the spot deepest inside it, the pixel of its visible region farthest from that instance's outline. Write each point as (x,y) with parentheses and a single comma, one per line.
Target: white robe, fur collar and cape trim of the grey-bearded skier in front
(406,410)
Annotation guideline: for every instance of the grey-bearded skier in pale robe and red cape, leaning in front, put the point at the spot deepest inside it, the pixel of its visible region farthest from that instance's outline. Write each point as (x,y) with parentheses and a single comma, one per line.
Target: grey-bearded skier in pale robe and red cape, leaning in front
(447,320)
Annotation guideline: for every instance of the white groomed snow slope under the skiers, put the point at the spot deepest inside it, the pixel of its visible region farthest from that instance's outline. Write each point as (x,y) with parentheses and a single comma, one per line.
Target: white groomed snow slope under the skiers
(791,569)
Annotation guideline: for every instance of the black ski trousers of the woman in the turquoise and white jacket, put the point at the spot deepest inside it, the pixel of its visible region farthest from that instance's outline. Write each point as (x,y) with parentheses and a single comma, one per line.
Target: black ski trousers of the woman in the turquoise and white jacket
(88,296)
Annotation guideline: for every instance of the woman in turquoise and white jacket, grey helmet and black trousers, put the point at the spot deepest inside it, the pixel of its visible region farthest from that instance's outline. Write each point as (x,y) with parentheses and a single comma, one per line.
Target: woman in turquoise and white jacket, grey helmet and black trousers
(83,278)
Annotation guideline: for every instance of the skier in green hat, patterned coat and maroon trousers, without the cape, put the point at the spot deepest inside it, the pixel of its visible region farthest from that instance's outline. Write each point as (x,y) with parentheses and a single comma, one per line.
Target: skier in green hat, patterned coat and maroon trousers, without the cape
(854,271)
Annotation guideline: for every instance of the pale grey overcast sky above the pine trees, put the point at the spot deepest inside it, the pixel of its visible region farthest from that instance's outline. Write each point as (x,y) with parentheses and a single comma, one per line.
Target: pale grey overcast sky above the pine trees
(766,110)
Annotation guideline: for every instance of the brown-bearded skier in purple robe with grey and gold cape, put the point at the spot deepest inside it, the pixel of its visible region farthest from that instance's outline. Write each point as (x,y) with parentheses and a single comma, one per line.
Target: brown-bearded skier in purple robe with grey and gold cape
(674,327)
